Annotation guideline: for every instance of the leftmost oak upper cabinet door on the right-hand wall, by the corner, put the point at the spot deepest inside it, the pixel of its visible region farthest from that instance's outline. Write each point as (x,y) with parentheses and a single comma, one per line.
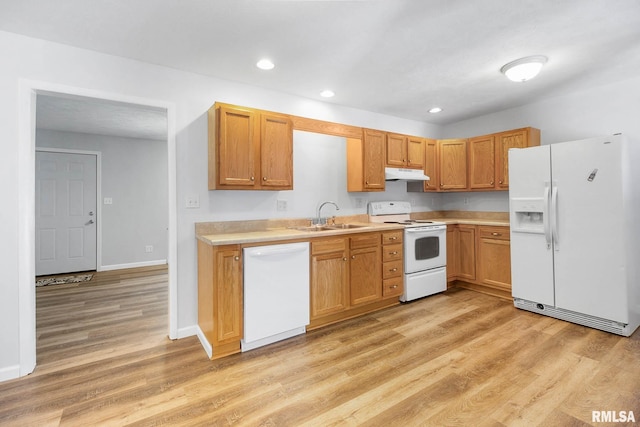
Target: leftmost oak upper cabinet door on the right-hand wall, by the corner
(453,164)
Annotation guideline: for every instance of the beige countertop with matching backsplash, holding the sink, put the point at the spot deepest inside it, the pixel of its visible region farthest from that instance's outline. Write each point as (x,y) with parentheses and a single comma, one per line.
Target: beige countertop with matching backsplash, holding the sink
(258,231)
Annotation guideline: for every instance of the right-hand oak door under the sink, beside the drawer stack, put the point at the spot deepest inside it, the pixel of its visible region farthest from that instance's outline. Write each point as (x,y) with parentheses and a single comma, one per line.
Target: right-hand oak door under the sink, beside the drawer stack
(365,275)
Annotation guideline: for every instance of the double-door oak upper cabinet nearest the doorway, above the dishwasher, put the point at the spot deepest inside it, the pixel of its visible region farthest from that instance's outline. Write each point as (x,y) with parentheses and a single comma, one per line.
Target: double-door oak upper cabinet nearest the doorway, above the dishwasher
(249,149)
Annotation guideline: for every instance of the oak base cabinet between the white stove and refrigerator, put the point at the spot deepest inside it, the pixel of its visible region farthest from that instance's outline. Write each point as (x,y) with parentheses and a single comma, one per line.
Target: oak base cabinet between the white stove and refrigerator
(479,258)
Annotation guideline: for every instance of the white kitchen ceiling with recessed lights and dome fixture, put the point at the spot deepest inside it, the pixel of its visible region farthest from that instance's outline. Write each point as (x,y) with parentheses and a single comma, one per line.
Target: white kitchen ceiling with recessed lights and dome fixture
(395,57)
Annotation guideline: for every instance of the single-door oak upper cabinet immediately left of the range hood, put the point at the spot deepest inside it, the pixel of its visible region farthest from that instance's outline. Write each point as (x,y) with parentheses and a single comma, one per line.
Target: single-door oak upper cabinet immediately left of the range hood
(365,161)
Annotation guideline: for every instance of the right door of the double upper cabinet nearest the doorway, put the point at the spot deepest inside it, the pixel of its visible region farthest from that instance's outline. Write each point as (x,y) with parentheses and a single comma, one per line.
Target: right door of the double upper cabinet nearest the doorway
(276,151)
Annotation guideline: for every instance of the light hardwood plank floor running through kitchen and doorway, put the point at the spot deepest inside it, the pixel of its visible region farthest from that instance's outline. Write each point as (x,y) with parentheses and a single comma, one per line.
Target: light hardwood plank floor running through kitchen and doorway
(459,358)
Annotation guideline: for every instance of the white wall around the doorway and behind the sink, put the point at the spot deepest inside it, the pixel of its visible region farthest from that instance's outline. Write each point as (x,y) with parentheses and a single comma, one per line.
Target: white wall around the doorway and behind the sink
(65,67)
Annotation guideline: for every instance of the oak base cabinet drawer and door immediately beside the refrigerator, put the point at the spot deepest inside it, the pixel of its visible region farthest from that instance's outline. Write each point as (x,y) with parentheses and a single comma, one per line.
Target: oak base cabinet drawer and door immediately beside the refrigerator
(494,257)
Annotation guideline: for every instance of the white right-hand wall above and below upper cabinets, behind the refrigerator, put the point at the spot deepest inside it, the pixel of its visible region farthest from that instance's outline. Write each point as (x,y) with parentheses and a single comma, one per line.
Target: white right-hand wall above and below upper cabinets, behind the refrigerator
(603,110)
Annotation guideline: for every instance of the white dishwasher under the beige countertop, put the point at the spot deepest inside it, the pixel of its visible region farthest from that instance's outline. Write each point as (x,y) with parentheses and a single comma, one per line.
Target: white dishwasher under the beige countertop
(276,293)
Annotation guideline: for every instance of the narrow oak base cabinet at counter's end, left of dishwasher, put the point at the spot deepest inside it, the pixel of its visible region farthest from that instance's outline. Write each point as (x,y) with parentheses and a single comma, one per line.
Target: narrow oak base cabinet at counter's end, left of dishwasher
(220,297)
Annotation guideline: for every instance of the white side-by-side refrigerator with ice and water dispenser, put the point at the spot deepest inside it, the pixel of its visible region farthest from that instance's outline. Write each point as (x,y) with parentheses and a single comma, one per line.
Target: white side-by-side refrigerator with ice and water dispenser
(575,231)
